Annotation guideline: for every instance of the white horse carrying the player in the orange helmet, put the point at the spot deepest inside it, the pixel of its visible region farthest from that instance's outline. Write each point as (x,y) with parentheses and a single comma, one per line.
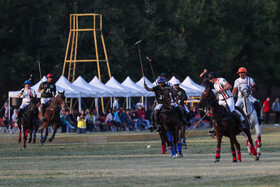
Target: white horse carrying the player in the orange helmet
(251,115)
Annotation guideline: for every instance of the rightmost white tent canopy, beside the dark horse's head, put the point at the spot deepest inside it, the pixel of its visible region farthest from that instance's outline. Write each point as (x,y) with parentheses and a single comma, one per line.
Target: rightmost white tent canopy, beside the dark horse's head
(191,88)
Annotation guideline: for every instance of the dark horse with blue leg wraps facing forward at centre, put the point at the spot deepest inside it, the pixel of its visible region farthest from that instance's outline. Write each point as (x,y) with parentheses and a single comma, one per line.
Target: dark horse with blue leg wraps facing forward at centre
(170,121)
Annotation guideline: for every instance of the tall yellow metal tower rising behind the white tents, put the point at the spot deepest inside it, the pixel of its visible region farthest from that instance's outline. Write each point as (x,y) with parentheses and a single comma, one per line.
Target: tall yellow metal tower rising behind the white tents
(71,50)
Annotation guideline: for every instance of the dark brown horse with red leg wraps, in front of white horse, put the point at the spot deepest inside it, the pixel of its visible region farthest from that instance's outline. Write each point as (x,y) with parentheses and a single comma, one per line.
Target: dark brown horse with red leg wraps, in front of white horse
(225,125)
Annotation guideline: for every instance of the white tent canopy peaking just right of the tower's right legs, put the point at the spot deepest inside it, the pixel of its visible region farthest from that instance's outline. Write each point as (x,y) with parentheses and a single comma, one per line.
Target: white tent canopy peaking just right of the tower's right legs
(120,90)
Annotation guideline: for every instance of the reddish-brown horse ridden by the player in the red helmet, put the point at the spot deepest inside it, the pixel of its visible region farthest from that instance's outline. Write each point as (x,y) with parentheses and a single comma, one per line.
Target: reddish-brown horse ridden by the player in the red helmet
(52,115)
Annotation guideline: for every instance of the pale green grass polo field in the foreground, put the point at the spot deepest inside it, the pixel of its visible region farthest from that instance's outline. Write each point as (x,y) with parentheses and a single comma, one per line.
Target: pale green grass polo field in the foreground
(132,164)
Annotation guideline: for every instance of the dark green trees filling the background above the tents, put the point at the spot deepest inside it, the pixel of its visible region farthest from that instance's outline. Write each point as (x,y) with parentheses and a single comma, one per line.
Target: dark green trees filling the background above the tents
(181,37)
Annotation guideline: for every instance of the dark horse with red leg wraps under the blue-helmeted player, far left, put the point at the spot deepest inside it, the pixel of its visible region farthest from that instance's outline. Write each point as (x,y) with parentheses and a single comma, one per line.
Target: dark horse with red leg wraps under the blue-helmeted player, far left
(28,122)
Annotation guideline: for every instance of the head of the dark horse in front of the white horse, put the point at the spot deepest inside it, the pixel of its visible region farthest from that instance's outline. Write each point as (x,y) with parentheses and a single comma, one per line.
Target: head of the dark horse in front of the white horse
(207,98)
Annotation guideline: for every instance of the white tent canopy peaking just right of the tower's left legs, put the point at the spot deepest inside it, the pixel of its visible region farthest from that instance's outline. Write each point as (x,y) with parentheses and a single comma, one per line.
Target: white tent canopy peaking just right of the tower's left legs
(94,91)
